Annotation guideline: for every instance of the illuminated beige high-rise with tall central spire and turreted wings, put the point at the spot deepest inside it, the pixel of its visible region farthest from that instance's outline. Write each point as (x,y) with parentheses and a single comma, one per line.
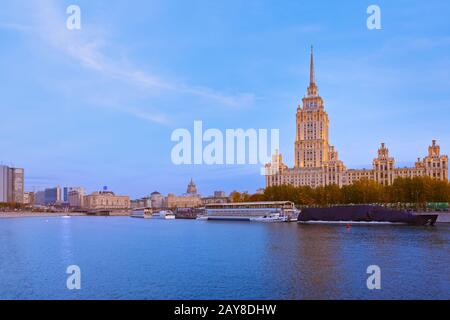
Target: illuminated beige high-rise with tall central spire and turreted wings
(317,163)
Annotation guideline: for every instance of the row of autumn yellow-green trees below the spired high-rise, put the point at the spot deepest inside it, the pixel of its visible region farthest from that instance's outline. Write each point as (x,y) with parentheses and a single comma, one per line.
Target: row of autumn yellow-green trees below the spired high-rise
(419,190)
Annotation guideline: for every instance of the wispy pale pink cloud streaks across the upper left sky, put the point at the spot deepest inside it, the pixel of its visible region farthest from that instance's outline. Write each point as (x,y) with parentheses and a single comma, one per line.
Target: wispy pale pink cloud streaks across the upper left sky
(86,47)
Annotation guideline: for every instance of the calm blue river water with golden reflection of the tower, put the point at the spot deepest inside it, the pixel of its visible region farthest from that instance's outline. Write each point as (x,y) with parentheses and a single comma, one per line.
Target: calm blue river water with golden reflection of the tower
(125,258)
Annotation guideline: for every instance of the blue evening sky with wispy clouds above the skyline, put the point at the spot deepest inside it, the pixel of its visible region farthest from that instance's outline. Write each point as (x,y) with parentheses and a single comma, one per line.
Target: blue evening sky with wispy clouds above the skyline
(97,106)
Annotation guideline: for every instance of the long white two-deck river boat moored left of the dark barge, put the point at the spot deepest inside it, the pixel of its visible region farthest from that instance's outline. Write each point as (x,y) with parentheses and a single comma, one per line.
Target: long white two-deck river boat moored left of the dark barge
(268,211)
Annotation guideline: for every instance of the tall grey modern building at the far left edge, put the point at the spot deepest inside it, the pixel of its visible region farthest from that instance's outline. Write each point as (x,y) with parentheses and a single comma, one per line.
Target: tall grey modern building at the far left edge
(11,184)
